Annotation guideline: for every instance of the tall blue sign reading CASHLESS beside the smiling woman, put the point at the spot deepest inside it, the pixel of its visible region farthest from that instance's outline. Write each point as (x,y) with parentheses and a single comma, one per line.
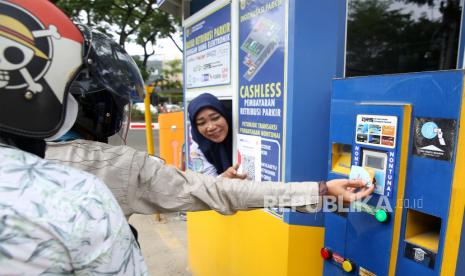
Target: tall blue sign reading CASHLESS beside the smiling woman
(261,85)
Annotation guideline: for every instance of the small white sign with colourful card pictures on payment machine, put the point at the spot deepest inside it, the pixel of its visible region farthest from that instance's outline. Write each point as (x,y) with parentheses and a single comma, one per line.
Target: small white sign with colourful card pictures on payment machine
(375,130)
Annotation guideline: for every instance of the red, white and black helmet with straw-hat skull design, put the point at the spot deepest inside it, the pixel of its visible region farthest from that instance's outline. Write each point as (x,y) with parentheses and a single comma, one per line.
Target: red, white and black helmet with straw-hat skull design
(40,55)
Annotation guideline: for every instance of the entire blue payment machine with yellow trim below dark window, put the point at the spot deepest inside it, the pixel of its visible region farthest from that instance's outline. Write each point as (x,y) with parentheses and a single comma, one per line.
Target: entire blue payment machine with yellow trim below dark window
(400,133)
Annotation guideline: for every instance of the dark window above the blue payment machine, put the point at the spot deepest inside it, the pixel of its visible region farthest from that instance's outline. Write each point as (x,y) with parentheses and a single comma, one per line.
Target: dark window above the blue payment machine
(399,36)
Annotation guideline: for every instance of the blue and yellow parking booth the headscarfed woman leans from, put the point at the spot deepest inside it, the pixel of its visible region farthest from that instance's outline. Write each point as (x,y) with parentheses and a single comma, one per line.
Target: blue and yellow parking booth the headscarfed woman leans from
(243,53)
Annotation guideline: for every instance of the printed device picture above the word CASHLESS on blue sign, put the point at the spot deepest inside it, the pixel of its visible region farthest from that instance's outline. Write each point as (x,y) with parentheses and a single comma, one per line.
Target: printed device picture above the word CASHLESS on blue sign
(259,45)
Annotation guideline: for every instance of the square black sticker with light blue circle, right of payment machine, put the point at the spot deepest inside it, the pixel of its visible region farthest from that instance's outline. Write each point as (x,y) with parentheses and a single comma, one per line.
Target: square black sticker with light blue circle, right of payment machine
(434,138)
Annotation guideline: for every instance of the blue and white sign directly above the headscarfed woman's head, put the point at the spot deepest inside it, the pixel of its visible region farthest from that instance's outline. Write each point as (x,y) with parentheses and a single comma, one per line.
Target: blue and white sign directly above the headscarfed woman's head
(208,50)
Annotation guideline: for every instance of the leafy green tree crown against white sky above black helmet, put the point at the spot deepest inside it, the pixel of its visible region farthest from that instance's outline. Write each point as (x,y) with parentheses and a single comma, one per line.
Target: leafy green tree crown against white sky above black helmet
(138,21)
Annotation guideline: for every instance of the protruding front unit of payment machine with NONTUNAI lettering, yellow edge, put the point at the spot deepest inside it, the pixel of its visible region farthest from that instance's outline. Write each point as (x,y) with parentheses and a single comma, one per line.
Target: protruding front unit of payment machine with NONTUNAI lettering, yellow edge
(363,231)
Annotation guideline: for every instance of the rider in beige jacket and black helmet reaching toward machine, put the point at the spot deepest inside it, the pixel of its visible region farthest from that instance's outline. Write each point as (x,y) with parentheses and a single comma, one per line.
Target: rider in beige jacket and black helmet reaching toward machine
(141,183)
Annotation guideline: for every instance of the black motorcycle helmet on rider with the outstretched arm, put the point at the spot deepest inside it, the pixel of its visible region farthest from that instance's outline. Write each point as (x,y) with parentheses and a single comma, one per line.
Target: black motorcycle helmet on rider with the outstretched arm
(103,88)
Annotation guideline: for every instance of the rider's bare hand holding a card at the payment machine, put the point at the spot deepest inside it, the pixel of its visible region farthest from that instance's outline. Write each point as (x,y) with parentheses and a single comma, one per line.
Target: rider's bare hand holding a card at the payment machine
(349,190)
